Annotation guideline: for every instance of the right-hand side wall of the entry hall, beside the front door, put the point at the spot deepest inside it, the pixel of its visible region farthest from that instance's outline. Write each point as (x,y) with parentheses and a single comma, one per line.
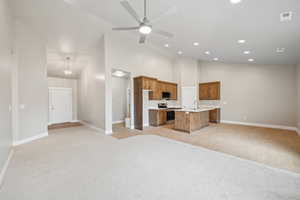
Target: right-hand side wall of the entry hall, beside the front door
(91,89)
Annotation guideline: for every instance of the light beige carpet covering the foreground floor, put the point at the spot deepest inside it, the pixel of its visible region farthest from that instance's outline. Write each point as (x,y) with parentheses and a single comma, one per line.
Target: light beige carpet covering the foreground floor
(81,164)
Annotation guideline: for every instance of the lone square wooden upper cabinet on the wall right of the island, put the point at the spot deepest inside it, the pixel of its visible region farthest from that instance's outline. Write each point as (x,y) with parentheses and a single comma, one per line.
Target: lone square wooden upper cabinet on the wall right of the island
(209,91)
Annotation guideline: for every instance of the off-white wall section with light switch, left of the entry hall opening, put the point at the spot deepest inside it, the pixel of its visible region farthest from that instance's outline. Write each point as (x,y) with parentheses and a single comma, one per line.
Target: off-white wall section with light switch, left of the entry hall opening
(30,84)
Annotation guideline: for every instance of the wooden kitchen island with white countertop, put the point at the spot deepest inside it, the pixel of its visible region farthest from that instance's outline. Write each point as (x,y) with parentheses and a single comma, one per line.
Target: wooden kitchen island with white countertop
(190,120)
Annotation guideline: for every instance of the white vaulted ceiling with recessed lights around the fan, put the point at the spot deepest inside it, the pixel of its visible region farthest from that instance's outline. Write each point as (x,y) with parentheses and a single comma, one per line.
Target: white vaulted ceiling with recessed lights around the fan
(75,25)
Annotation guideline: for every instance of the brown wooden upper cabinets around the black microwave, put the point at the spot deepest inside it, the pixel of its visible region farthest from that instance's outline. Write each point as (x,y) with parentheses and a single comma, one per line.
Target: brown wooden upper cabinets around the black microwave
(157,87)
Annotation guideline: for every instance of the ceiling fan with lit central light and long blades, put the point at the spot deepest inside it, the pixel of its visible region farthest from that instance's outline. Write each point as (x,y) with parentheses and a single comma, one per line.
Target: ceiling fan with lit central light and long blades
(144,25)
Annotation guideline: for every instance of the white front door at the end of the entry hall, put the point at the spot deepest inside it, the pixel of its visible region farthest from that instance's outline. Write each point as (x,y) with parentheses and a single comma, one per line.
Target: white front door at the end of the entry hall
(60,105)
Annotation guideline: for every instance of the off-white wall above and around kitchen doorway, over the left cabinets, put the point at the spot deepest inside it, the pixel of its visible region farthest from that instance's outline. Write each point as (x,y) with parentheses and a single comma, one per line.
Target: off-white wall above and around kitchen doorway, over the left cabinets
(123,52)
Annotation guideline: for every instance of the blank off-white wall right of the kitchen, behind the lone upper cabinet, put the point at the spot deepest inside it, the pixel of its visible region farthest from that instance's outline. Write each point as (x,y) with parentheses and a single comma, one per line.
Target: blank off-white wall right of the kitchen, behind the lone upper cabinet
(263,94)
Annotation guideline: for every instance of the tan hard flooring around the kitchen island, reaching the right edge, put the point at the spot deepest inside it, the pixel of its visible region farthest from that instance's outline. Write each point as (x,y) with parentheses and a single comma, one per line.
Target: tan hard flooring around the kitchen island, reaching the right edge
(273,147)
